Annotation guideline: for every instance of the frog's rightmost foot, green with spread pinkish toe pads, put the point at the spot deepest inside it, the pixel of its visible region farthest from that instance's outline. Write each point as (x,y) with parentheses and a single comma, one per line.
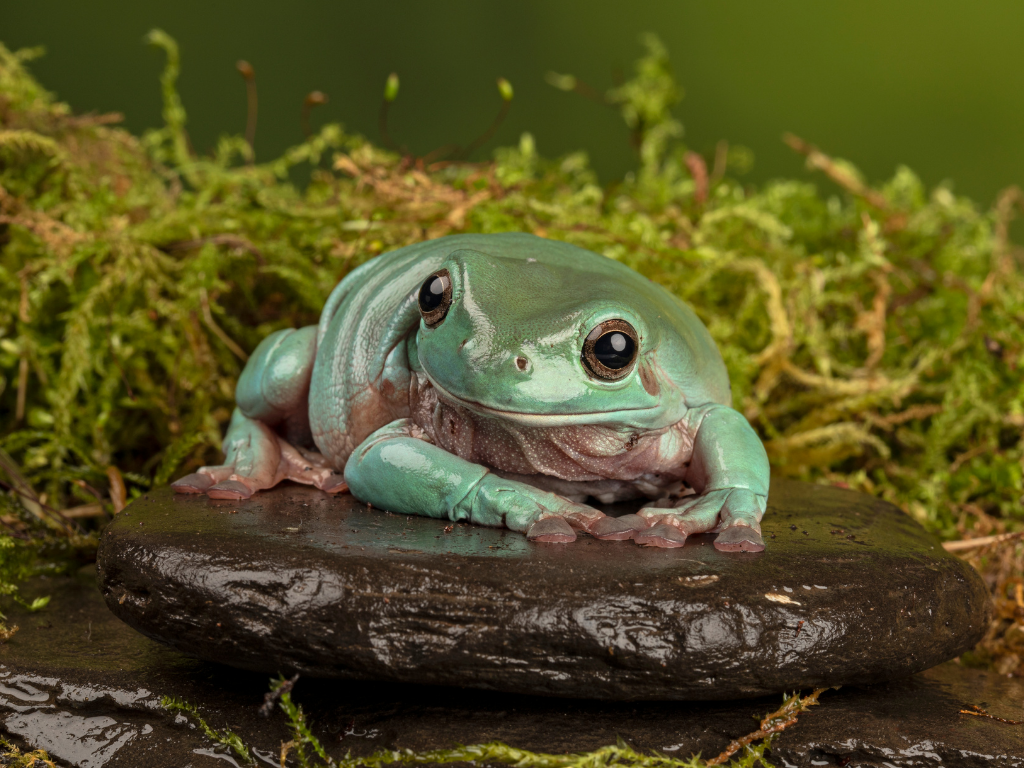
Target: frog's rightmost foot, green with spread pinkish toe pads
(736,514)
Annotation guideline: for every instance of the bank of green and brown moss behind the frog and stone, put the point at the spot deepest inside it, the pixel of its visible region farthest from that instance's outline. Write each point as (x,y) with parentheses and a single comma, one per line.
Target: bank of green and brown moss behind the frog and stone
(875,335)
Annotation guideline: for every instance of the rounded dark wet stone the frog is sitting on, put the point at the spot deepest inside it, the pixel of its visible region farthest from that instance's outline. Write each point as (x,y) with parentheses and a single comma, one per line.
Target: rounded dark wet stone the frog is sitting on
(849,591)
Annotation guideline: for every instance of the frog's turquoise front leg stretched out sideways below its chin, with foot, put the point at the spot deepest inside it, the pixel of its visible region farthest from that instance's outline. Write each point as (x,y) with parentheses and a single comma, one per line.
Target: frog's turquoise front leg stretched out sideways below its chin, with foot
(398,470)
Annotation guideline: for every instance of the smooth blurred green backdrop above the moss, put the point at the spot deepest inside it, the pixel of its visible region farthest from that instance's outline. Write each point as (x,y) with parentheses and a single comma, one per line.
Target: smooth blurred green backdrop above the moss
(934,84)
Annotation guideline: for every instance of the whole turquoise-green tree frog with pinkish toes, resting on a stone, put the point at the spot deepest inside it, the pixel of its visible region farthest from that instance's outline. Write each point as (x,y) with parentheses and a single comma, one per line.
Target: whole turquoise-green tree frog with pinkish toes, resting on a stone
(503,380)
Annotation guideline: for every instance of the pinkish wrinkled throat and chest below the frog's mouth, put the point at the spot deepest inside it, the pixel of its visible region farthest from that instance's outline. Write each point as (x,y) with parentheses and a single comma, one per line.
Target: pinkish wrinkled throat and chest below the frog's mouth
(604,462)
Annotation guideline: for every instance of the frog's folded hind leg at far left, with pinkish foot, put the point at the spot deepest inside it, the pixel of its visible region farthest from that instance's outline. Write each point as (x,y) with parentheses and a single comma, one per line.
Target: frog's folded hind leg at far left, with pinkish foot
(273,392)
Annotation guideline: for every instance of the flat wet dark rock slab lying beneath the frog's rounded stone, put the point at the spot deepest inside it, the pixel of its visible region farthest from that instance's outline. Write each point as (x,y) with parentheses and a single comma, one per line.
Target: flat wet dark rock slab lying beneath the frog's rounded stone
(80,684)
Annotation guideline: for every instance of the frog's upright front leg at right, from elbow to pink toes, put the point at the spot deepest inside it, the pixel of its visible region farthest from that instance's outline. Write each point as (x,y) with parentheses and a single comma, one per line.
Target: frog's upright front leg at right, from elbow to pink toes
(730,472)
